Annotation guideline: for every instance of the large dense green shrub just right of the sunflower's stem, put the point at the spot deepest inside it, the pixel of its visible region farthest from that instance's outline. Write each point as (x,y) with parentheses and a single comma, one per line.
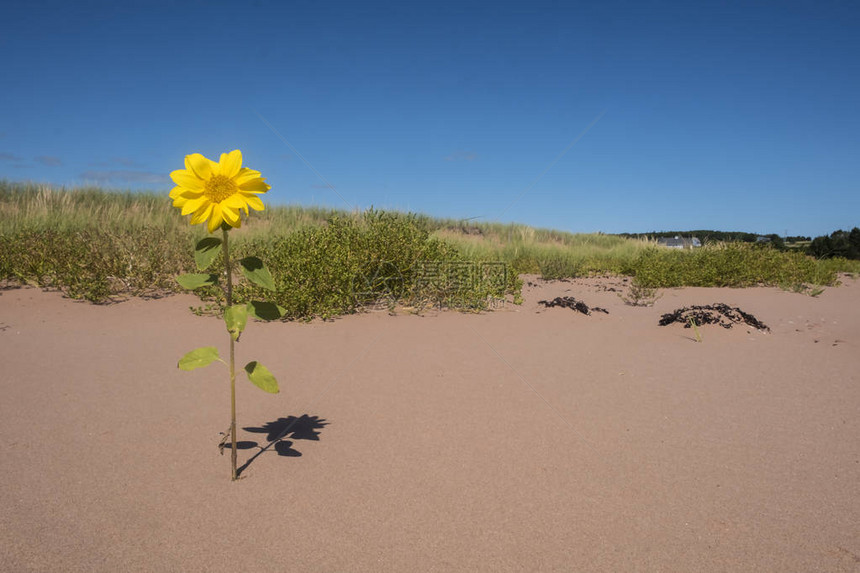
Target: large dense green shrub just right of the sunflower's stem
(353,262)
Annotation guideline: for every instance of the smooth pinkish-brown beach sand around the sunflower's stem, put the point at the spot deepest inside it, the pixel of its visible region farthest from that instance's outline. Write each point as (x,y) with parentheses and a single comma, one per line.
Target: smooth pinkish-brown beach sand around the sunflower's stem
(526,439)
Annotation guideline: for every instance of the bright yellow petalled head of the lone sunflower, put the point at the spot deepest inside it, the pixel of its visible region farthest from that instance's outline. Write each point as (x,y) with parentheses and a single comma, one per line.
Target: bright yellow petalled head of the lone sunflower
(217,192)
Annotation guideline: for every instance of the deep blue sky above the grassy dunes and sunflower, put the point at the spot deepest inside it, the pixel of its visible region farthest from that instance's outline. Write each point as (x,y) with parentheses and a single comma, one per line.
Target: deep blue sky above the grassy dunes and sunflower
(729,116)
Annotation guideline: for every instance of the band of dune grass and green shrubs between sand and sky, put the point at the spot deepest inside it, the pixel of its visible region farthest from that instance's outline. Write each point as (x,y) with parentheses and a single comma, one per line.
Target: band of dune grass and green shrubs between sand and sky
(99,244)
